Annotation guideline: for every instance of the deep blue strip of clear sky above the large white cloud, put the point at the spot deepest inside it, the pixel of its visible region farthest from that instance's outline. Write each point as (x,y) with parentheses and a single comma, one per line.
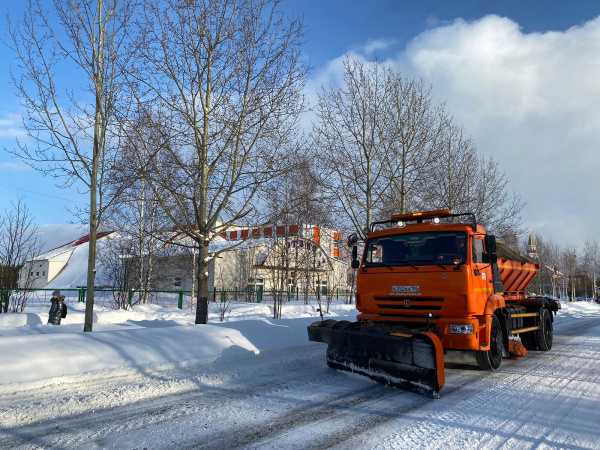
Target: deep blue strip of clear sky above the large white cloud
(338,26)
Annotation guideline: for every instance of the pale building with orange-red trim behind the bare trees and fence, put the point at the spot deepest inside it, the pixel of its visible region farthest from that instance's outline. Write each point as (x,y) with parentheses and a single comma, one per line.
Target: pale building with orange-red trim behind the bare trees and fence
(302,258)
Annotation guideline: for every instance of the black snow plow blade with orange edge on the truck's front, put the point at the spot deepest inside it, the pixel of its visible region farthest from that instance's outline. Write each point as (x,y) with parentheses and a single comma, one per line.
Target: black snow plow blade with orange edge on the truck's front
(397,357)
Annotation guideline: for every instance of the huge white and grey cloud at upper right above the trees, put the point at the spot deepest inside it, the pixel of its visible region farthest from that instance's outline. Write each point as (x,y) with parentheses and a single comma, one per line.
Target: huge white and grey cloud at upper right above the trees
(531,100)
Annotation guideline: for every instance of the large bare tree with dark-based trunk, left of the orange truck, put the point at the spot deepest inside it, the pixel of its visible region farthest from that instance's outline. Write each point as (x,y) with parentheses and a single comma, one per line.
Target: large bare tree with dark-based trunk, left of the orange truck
(227,77)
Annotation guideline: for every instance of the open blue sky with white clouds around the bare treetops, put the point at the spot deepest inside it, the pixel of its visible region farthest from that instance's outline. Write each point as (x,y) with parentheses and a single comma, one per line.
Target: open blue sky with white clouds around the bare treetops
(521,76)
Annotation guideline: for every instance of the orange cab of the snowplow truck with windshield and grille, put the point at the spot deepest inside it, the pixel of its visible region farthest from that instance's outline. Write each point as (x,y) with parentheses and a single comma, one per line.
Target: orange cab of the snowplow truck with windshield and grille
(427,275)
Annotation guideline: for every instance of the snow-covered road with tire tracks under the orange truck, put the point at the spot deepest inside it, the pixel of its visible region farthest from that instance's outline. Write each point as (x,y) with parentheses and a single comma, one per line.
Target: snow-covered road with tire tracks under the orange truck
(289,398)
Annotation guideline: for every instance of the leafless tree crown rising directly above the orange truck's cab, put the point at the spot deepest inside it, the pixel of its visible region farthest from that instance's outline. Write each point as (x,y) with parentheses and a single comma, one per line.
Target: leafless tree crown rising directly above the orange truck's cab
(375,136)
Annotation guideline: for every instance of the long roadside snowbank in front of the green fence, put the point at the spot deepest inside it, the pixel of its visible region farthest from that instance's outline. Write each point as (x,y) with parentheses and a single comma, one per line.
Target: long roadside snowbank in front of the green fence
(148,334)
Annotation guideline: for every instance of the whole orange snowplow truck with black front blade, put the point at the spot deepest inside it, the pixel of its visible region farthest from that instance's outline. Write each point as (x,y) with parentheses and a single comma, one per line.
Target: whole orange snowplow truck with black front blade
(427,283)
